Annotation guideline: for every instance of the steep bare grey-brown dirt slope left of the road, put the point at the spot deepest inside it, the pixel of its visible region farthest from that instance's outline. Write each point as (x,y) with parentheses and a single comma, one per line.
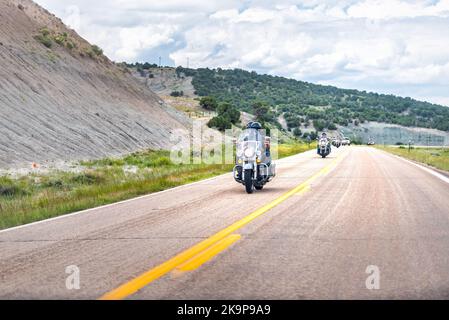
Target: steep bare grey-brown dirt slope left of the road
(66,102)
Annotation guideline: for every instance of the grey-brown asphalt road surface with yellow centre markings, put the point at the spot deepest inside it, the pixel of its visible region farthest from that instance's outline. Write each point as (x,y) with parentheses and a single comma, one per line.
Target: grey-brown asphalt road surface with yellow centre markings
(360,224)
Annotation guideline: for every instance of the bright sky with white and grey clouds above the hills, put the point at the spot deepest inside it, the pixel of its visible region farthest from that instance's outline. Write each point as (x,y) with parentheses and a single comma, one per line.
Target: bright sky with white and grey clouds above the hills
(387,46)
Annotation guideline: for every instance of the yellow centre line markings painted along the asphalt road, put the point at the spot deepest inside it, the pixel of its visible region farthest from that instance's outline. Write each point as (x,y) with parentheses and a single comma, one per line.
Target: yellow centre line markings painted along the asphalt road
(195,256)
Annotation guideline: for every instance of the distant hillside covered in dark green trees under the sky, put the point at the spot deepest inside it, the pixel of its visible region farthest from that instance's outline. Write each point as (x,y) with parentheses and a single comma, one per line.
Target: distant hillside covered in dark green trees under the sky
(305,104)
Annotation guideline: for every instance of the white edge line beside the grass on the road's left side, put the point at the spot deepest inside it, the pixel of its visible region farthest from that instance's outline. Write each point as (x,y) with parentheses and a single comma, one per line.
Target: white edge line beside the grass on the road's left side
(68,215)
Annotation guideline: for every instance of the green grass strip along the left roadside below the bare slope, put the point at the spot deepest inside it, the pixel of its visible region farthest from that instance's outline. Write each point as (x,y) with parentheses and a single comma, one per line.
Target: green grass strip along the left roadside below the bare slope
(36,197)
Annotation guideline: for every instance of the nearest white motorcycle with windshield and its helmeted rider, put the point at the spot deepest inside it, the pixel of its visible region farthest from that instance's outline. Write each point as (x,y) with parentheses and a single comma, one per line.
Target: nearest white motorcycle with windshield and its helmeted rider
(254,167)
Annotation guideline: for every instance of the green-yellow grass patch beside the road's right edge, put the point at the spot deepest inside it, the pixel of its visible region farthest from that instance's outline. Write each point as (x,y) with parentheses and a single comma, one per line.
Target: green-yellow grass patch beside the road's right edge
(434,157)
